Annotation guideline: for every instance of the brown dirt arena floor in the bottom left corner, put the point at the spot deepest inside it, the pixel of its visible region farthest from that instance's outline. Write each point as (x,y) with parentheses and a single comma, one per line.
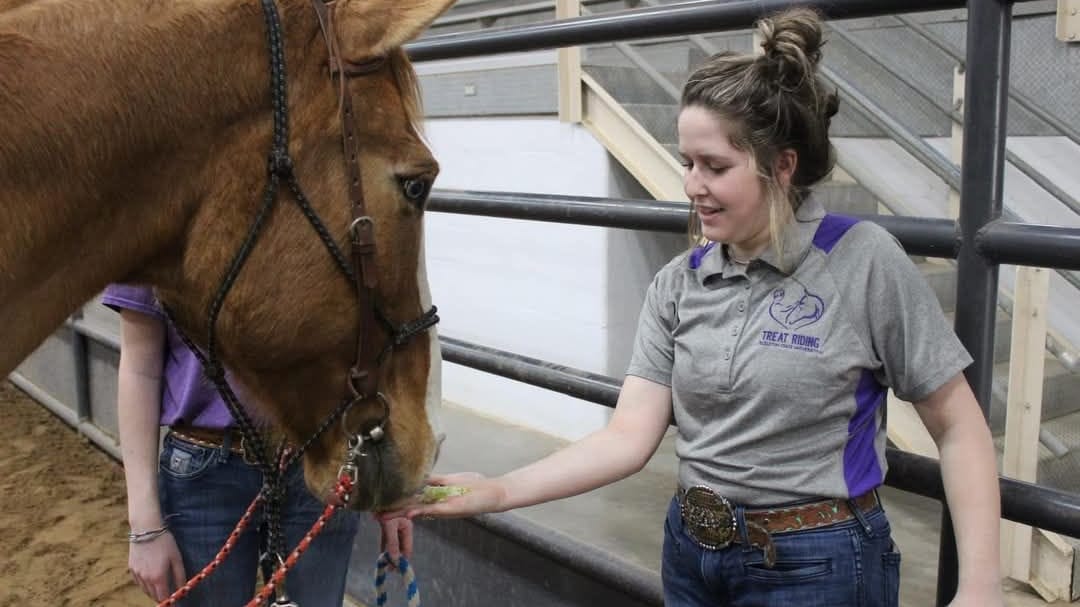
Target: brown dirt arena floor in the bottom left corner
(63,520)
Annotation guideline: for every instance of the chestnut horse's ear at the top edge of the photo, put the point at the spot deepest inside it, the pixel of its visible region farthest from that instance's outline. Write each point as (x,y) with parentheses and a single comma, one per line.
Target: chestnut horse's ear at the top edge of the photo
(373,28)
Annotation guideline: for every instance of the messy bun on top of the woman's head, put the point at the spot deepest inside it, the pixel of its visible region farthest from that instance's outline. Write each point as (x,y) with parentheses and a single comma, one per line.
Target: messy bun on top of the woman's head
(792,42)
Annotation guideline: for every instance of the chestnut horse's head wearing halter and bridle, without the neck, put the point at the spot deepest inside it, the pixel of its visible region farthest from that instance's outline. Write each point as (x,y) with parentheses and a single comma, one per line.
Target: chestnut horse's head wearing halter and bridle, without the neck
(304,317)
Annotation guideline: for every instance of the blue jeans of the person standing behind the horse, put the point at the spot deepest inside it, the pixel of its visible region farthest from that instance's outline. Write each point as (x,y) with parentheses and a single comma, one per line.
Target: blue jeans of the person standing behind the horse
(205,491)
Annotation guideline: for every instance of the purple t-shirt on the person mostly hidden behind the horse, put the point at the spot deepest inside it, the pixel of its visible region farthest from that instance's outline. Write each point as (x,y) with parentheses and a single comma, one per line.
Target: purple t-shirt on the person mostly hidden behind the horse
(187,397)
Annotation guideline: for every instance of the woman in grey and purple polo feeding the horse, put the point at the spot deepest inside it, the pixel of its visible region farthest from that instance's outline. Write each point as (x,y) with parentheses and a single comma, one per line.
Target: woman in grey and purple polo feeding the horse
(773,344)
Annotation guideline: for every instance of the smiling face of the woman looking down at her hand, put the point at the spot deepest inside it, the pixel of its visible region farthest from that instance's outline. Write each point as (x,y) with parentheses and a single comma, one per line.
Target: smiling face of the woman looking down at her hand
(723,183)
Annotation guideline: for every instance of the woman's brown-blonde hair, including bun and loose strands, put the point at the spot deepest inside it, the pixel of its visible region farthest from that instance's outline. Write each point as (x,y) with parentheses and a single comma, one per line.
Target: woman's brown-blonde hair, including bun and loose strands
(774,102)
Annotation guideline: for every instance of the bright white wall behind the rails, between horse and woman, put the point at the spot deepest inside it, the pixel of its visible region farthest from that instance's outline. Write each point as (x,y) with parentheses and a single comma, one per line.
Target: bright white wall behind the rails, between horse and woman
(562,293)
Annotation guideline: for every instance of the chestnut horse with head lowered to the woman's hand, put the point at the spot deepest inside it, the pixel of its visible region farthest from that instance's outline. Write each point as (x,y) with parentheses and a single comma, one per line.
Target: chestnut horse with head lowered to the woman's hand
(134,139)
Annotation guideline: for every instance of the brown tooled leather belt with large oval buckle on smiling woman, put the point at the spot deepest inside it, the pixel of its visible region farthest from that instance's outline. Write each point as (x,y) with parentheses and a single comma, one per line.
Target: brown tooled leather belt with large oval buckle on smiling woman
(710,519)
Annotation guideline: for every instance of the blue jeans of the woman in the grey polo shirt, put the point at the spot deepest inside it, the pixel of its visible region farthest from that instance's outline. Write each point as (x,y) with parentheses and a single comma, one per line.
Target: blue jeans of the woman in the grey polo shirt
(850,564)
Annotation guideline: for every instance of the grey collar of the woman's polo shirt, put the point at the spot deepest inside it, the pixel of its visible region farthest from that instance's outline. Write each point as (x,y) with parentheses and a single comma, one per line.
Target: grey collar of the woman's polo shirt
(713,260)
